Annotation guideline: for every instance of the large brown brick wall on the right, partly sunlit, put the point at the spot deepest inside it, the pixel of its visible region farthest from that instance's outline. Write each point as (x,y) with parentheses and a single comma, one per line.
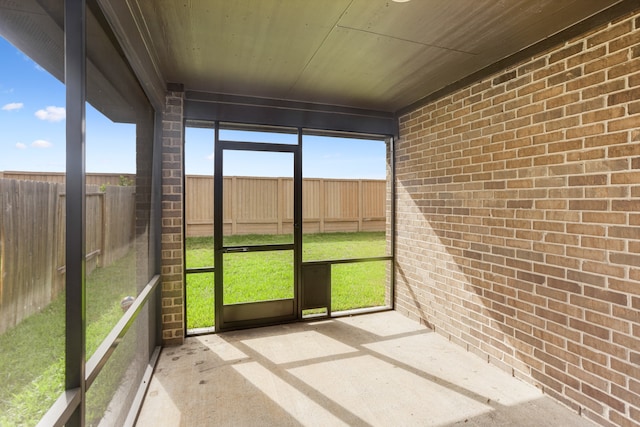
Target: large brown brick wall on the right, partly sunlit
(518,220)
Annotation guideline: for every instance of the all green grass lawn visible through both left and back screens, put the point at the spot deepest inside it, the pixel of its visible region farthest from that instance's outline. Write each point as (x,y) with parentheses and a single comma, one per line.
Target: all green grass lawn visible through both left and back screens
(32,353)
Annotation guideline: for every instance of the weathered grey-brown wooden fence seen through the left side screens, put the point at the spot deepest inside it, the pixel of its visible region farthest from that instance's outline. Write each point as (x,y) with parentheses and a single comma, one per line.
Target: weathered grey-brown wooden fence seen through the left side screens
(32,236)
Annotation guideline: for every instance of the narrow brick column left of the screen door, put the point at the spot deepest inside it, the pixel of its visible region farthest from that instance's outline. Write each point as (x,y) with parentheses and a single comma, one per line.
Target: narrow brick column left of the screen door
(173,319)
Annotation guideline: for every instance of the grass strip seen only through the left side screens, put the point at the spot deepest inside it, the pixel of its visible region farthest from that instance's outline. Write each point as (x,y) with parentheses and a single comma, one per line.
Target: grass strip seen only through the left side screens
(32,353)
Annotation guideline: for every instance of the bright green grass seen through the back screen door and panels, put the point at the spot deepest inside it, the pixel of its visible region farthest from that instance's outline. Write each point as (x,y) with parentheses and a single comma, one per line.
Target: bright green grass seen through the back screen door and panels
(259,276)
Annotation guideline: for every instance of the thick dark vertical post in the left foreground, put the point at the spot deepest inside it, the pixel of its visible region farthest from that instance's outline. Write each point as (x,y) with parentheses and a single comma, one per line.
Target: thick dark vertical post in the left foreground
(75,36)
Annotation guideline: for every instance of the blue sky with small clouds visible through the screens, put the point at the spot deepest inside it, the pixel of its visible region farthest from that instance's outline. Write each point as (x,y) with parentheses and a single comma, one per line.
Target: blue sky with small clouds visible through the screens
(32,119)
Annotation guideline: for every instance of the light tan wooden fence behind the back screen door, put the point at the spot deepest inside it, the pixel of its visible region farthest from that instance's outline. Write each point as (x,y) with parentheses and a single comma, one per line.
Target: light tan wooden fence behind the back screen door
(265,205)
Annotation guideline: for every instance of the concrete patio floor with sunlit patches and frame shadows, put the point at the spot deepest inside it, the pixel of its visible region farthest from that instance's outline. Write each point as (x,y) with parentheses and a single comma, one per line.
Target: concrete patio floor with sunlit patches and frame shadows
(372,370)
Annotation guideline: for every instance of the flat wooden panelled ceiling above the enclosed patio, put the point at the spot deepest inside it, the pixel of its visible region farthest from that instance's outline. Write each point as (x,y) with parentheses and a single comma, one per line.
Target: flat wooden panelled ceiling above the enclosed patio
(370,54)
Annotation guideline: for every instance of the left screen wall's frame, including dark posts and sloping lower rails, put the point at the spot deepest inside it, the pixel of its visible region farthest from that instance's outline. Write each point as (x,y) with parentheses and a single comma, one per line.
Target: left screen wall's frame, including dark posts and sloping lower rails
(69,408)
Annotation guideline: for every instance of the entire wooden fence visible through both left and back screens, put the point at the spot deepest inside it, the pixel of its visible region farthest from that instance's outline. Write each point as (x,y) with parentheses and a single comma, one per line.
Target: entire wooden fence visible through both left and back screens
(32,223)
